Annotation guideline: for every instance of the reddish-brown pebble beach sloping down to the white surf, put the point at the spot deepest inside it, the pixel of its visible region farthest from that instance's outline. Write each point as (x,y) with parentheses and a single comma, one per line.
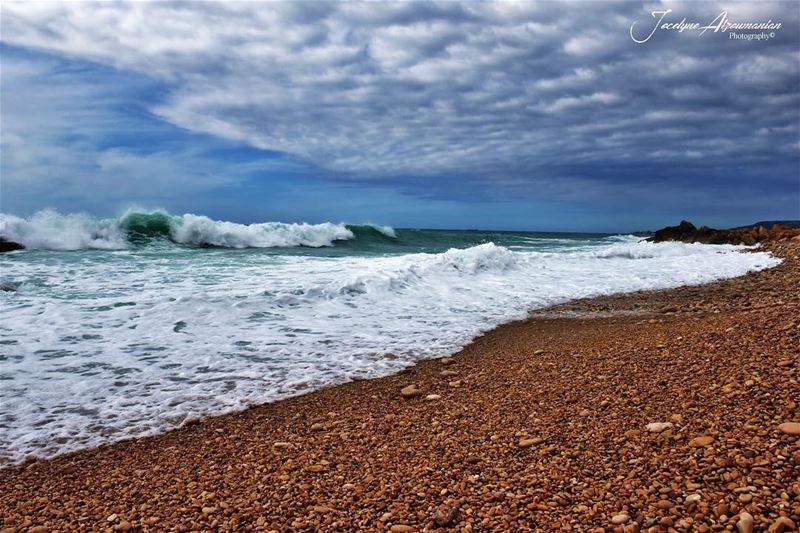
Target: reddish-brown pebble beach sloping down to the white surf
(528,413)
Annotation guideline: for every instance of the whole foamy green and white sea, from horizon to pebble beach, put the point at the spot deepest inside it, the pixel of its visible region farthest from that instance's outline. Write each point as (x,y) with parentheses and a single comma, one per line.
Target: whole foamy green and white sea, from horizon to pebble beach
(113,328)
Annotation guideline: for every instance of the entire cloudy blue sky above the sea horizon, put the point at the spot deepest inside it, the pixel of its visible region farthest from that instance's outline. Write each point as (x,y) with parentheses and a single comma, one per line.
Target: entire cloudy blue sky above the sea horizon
(514,115)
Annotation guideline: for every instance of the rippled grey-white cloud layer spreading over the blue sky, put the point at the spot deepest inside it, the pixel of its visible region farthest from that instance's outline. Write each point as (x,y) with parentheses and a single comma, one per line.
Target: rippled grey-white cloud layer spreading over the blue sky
(533,99)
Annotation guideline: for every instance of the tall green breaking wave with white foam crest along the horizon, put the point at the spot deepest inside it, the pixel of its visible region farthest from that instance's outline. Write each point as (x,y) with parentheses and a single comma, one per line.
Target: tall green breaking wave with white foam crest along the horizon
(50,230)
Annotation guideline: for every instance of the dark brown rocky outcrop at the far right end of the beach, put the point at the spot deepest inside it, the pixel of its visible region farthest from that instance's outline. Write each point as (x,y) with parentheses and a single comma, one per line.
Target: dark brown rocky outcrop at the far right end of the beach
(688,232)
